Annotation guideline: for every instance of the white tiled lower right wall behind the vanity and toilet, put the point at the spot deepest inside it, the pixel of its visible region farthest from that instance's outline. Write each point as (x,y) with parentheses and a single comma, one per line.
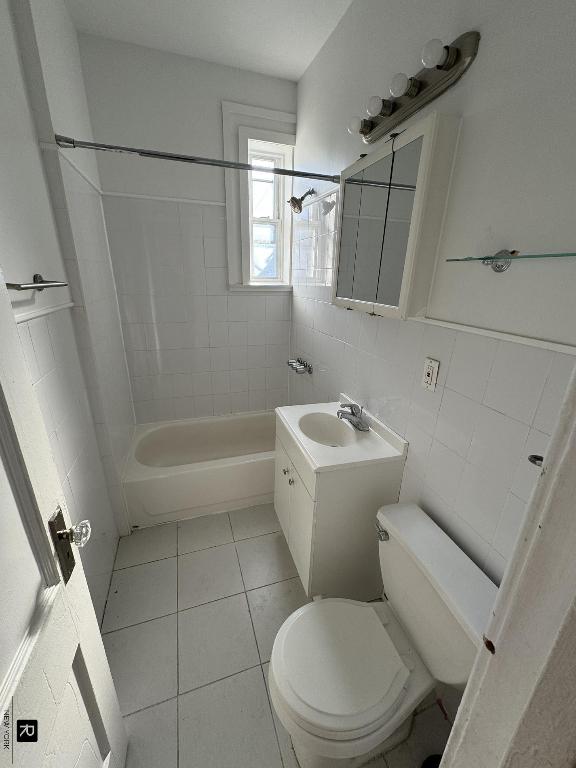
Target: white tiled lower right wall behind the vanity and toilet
(496,401)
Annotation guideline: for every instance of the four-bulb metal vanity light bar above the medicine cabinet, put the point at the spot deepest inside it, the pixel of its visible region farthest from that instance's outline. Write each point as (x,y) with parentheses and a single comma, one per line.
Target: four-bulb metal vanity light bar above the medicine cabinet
(443,65)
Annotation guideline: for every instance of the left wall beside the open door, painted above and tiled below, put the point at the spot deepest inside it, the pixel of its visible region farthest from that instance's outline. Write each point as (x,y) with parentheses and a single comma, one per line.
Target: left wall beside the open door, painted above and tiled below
(48,341)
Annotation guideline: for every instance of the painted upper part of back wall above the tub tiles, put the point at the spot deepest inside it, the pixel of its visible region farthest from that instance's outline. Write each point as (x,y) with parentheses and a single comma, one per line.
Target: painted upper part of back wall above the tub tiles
(146,98)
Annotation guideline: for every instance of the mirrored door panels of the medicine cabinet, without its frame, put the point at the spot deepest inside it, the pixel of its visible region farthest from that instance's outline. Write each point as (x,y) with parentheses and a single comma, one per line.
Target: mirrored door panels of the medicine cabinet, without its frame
(376,216)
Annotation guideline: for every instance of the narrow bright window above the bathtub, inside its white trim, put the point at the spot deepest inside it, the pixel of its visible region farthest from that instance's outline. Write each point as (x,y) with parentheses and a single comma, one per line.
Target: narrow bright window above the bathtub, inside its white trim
(269,225)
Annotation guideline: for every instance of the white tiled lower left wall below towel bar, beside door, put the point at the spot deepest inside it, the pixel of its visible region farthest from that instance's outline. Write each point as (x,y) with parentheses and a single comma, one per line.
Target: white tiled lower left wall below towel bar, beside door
(57,377)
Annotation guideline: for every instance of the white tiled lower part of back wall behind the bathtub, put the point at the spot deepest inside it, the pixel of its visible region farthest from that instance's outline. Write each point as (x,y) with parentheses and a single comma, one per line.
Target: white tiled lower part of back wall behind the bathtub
(194,348)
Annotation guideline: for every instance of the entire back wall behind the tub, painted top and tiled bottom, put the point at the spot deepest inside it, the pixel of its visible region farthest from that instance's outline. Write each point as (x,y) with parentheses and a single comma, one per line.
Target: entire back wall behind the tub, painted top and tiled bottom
(194,347)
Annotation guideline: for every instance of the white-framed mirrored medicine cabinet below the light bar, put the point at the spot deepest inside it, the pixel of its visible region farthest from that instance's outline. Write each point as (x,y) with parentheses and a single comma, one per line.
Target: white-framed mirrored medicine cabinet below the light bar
(391,207)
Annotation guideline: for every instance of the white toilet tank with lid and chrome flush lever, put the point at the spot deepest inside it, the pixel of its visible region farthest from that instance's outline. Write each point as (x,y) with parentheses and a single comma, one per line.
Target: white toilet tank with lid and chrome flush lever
(441,598)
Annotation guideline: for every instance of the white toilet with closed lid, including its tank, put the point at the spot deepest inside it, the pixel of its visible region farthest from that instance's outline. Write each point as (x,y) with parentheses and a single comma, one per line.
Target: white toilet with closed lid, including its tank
(345,676)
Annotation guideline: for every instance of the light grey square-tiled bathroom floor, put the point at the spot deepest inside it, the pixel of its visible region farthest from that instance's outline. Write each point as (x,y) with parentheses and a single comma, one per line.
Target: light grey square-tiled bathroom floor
(189,625)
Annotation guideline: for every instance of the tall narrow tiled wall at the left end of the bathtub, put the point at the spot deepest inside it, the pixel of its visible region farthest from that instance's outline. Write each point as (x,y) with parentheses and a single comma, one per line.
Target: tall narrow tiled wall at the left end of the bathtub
(96,317)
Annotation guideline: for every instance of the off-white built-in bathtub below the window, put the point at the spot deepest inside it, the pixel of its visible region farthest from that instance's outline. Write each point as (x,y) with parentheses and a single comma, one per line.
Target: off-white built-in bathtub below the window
(182,469)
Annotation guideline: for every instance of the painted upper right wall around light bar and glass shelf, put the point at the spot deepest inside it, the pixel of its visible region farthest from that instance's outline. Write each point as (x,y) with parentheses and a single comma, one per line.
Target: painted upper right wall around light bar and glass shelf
(513,184)
